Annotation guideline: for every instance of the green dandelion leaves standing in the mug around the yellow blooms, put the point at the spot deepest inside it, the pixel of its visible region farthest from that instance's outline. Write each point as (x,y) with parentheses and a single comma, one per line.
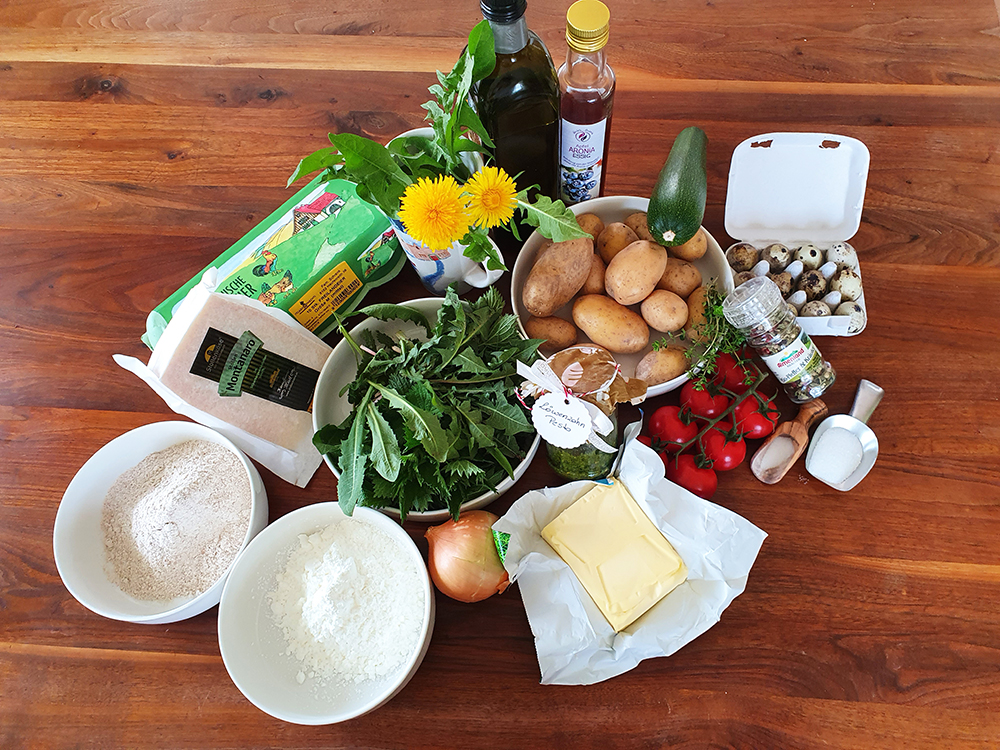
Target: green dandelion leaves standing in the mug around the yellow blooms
(383,173)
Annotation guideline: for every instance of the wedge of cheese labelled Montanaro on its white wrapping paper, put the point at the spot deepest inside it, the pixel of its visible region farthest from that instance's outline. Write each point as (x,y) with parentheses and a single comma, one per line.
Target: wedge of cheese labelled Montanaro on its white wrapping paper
(244,369)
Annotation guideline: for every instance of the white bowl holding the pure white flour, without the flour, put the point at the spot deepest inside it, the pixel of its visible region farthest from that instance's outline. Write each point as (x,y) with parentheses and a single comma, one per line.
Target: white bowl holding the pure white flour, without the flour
(253,646)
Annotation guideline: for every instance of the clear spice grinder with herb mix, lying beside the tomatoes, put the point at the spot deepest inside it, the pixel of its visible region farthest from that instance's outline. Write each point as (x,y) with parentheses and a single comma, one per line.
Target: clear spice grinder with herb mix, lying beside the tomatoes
(756,307)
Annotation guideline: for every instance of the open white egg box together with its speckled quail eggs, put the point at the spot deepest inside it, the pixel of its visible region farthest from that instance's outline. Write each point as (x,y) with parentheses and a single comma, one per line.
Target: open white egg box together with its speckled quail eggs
(793,202)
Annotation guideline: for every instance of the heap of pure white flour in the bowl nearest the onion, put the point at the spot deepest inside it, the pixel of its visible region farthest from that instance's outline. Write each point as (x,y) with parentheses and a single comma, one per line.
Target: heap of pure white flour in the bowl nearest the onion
(350,602)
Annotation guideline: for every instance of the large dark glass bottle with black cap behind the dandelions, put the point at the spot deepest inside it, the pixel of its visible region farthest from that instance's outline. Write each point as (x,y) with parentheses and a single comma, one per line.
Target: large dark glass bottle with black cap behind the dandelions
(518,102)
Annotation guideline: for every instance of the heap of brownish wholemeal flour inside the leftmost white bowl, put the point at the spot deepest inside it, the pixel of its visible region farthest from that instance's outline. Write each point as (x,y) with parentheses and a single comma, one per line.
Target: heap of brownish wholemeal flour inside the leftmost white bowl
(175,521)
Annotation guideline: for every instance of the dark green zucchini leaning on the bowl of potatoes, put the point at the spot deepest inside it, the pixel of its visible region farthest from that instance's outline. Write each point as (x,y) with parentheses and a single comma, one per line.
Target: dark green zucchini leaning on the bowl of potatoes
(677,204)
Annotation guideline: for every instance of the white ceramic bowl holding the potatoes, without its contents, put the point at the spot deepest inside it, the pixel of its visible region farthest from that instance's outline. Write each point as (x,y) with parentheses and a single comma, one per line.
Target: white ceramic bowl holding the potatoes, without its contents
(615,208)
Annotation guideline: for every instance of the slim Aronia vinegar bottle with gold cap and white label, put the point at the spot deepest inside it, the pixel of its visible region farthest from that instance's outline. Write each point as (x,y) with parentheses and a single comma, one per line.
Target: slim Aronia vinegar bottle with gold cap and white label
(587,88)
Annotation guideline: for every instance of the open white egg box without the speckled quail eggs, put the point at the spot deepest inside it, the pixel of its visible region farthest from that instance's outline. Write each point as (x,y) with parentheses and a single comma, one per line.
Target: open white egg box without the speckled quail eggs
(798,189)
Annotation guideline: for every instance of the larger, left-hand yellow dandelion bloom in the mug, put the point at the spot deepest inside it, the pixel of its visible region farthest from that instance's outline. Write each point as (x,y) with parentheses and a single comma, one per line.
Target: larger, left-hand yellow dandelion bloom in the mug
(434,212)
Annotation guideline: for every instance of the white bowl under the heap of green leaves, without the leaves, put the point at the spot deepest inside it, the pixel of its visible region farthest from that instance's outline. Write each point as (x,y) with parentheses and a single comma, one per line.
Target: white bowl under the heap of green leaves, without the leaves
(329,407)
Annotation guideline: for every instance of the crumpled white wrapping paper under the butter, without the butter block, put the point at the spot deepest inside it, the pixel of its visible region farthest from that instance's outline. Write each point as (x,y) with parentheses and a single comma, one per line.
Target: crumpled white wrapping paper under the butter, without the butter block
(574,642)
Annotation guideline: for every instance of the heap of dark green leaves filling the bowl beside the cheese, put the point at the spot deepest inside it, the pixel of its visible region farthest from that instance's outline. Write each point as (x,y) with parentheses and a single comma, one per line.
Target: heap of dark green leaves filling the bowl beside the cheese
(434,422)
